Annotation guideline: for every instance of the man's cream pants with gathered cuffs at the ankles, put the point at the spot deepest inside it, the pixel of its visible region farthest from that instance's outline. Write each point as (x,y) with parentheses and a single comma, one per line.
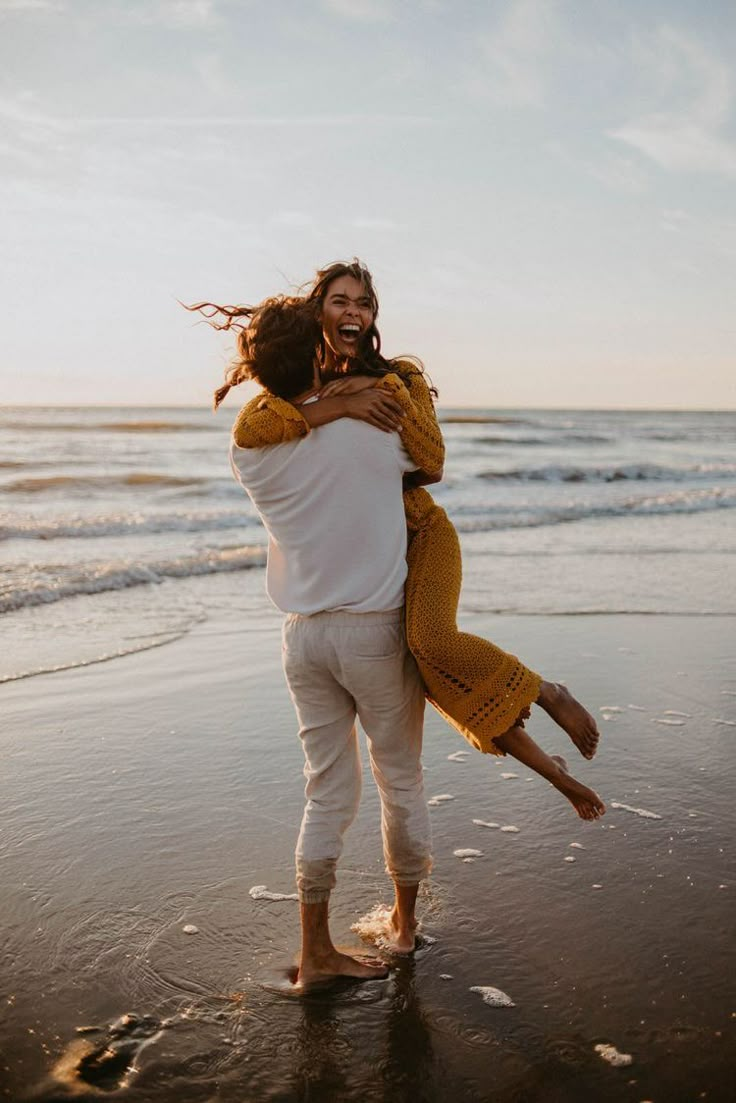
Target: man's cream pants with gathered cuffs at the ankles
(342,667)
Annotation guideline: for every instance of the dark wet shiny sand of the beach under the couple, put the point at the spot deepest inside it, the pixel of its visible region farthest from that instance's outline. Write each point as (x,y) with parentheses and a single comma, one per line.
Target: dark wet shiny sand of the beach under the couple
(151,795)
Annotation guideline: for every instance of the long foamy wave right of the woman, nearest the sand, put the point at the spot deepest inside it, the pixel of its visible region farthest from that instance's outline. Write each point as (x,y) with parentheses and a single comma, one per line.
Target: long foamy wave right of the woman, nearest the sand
(677,502)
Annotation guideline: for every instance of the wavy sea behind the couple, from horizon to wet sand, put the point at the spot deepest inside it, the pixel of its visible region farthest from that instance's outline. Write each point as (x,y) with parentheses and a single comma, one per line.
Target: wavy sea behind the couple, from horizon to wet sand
(110,520)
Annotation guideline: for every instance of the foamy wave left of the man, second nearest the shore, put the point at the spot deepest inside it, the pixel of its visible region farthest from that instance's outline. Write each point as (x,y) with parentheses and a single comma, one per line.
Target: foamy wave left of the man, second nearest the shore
(115,524)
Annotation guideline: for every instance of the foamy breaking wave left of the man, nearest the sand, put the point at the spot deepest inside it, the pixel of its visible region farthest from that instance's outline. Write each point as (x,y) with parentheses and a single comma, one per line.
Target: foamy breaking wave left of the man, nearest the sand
(100,579)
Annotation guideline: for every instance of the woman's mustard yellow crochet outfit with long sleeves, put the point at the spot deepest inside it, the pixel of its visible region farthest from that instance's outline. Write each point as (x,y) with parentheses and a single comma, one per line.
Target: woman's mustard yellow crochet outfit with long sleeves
(479,689)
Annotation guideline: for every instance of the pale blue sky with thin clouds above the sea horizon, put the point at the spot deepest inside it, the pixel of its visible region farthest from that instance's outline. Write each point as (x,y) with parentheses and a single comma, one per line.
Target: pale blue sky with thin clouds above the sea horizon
(545,190)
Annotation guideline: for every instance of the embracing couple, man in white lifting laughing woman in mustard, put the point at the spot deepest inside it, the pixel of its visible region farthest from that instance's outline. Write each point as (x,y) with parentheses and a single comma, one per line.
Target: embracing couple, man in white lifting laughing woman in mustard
(335,454)
